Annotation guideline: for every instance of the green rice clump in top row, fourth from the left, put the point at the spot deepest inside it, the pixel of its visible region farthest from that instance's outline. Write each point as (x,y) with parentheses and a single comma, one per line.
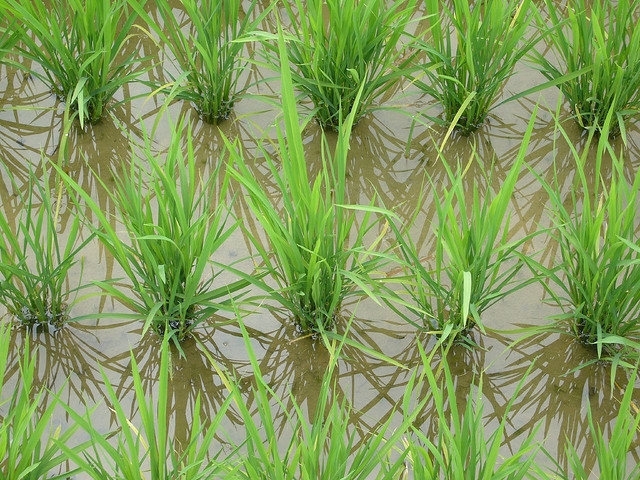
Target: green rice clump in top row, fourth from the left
(471,54)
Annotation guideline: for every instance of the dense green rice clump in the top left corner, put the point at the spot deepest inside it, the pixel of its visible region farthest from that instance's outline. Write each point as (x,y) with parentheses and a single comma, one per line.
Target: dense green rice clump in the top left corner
(80,47)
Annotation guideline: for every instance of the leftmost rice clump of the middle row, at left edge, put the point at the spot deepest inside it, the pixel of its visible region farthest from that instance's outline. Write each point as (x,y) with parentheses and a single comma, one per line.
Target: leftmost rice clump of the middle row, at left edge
(34,261)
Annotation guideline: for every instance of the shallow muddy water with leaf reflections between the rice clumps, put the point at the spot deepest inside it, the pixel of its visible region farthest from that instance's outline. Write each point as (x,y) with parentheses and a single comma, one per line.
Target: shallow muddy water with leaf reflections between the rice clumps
(392,161)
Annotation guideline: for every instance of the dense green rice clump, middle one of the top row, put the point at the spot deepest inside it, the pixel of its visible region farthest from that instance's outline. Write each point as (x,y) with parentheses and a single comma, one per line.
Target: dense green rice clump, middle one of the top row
(343,47)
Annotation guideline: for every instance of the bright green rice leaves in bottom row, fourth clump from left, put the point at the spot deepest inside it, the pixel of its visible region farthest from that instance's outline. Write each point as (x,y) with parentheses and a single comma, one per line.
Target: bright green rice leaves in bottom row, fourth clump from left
(462,450)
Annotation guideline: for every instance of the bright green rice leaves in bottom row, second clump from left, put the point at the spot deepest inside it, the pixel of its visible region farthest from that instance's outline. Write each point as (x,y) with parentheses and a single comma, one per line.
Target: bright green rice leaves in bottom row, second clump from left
(149,448)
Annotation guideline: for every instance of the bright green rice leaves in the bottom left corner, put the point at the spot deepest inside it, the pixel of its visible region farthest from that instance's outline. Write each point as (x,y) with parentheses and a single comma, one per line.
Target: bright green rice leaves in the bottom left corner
(28,448)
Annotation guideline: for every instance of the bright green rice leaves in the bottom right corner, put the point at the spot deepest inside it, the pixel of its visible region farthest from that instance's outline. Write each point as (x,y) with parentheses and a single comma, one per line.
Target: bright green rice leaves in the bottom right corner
(612,455)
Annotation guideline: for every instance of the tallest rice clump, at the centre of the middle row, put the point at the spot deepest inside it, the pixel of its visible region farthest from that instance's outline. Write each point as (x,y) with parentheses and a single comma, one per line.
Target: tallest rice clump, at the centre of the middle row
(311,260)
